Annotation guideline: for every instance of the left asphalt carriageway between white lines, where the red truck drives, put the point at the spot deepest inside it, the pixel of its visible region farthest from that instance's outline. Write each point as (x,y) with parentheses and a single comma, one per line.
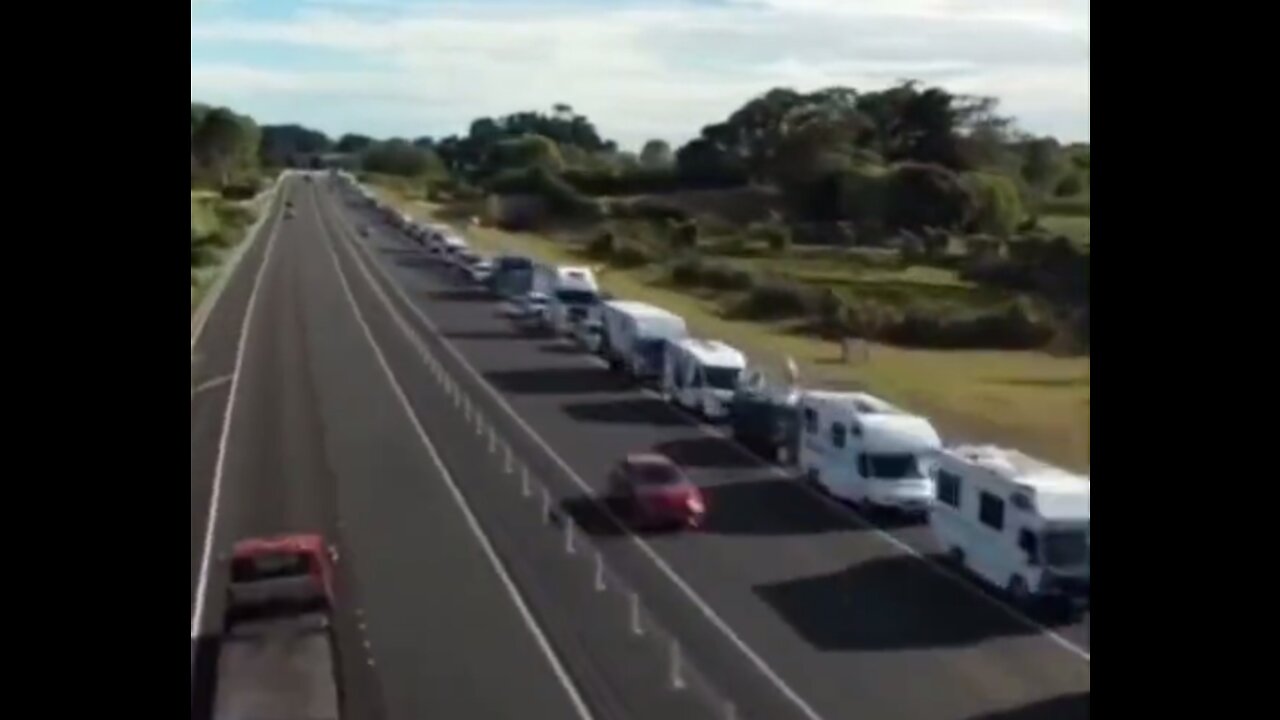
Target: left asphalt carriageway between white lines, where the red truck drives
(319,441)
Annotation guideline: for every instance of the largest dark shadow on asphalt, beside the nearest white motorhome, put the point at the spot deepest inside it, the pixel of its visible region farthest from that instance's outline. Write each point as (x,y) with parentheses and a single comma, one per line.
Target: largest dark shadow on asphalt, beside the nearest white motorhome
(888,604)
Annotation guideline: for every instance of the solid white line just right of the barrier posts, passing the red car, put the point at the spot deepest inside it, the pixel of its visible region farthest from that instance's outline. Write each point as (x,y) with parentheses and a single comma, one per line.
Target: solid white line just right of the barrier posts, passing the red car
(708,613)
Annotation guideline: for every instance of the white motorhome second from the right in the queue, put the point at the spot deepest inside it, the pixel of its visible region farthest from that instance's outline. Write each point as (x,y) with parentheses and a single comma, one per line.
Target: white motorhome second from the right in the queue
(865,450)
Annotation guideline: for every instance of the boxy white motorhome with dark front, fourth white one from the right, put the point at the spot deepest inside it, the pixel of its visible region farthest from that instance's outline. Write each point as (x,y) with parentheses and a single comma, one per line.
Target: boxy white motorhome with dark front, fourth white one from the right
(636,335)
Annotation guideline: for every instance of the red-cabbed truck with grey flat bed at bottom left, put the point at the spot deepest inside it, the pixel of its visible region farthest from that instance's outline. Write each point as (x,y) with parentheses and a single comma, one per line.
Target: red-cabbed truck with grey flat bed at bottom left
(278,657)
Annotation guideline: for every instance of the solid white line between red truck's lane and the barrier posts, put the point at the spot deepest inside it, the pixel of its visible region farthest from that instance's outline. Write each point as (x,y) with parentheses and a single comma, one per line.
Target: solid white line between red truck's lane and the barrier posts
(482,539)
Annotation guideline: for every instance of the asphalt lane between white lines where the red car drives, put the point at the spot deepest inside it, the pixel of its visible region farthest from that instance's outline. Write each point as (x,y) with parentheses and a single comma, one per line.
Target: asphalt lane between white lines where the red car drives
(845,616)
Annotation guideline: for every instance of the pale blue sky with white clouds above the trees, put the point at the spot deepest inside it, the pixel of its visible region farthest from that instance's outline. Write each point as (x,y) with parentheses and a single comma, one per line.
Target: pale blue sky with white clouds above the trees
(638,69)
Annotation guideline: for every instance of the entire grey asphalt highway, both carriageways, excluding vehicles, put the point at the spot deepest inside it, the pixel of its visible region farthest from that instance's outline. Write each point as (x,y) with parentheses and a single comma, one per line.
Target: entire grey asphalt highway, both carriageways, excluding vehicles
(341,422)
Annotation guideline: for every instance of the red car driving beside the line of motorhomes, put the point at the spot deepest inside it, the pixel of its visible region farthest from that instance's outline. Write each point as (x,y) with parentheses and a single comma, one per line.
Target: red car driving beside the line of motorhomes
(651,490)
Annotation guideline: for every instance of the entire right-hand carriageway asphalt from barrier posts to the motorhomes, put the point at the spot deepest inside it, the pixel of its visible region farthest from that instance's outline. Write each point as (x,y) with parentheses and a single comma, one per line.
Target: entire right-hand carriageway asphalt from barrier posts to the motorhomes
(788,600)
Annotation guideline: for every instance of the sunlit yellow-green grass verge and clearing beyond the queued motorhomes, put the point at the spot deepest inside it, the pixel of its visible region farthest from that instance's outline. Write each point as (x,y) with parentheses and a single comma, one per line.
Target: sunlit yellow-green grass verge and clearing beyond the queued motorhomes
(1030,400)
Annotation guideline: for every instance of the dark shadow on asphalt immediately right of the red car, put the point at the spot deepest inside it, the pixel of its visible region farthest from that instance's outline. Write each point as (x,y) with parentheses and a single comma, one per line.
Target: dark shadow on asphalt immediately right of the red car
(767,507)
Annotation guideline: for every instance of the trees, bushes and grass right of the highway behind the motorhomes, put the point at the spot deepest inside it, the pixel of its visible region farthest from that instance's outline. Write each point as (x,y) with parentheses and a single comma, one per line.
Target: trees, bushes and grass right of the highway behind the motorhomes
(924,224)
